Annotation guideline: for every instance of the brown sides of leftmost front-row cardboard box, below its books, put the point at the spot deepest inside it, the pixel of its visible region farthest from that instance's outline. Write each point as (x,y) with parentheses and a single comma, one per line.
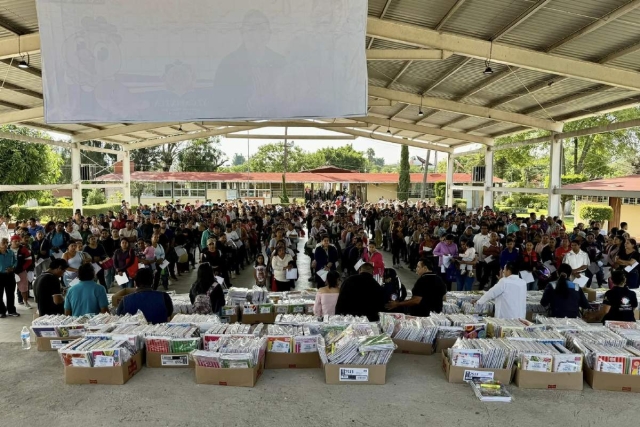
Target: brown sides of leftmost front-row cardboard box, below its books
(116,375)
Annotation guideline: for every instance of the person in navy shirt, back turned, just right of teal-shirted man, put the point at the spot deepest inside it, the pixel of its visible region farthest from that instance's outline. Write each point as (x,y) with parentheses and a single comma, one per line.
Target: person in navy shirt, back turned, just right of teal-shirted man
(156,306)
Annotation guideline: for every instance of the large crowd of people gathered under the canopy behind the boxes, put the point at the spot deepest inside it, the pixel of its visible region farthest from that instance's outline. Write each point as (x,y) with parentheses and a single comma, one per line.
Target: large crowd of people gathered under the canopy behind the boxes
(72,264)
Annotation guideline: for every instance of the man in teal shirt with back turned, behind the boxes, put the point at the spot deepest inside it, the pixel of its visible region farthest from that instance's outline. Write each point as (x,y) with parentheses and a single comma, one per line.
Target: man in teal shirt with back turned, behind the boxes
(86,297)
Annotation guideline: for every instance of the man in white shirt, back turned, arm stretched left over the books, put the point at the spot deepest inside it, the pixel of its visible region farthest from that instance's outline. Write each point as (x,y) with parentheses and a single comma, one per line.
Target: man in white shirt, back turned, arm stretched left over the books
(509,294)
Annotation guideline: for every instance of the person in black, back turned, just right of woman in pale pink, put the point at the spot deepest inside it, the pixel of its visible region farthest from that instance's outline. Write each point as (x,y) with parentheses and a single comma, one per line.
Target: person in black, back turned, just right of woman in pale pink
(361,295)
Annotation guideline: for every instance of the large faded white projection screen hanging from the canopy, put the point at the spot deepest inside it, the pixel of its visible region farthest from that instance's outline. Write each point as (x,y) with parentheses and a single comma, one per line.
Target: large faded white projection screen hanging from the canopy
(190,60)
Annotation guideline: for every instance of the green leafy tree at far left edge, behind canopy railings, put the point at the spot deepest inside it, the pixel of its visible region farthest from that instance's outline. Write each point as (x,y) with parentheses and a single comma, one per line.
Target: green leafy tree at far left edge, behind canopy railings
(25,163)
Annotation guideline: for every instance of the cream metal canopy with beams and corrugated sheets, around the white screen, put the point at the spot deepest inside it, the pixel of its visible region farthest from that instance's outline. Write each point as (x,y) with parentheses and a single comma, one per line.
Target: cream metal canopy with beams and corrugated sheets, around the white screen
(552,61)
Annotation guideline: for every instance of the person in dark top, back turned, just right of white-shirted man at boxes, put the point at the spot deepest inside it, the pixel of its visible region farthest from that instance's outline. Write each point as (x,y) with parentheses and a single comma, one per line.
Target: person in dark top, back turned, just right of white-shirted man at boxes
(563,298)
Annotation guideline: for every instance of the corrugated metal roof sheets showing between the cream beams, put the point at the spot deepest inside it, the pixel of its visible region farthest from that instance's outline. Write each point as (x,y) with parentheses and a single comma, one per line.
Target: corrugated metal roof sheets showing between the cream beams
(475,18)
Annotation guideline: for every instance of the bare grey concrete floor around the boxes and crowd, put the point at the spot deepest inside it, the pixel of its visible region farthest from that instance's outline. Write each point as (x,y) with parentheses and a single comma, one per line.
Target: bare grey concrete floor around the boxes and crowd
(416,394)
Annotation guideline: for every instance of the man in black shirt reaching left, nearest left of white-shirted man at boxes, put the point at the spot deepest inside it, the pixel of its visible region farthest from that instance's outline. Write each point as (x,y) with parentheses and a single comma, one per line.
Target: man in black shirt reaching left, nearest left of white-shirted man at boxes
(427,293)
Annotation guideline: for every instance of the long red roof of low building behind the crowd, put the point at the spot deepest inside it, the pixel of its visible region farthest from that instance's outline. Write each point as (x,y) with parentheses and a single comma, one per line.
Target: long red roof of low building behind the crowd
(355,178)
